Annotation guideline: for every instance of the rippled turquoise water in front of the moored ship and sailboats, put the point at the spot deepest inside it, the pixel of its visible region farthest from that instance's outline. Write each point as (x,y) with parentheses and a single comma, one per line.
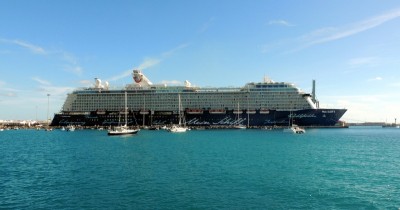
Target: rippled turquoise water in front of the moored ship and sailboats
(355,168)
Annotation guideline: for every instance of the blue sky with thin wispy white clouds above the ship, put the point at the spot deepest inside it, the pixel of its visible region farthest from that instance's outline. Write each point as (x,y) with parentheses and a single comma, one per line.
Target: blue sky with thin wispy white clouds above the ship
(351,49)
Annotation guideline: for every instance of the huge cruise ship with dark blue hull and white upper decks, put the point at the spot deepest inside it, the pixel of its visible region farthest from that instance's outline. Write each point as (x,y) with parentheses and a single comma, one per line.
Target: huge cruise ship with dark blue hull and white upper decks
(266,103)
